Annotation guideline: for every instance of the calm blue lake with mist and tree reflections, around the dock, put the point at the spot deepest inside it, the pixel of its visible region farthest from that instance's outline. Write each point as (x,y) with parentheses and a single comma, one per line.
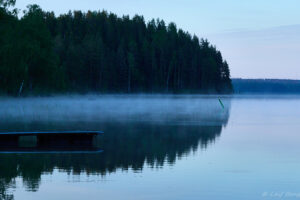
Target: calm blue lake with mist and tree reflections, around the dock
(158,147)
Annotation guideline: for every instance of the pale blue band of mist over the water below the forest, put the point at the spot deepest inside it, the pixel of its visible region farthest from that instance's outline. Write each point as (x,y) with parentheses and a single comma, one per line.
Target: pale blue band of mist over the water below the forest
(192,110)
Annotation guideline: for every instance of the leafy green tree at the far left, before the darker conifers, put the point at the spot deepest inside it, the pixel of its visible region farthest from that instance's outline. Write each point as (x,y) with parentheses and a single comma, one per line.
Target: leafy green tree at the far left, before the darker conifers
(27,56)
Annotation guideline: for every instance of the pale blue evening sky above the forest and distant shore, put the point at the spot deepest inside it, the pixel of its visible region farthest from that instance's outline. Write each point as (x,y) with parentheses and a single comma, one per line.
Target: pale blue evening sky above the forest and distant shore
(258,38)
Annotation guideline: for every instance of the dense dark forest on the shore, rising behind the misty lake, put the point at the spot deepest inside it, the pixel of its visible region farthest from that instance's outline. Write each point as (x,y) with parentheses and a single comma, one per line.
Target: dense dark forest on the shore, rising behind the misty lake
(101,52)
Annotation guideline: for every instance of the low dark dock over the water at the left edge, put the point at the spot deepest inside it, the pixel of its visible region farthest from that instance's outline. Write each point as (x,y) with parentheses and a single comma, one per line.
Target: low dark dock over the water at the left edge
(49,142)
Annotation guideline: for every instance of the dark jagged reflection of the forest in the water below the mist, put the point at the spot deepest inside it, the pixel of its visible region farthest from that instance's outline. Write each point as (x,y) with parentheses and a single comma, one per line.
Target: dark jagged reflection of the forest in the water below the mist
(126,145)
